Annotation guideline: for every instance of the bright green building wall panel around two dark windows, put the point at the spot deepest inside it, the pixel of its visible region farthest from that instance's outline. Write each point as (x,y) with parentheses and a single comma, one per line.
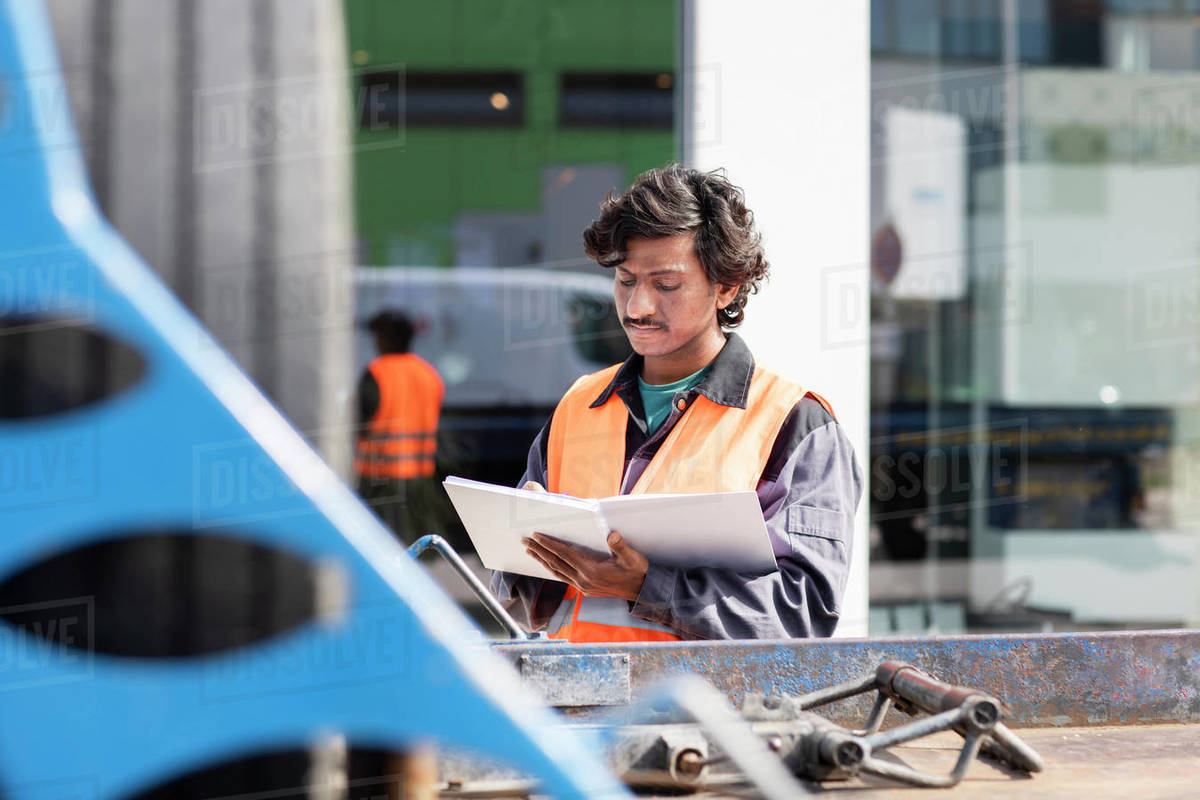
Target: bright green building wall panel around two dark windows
(413,184)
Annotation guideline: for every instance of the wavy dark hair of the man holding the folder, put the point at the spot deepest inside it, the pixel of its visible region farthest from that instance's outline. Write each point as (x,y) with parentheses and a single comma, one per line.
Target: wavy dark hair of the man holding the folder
(677,200)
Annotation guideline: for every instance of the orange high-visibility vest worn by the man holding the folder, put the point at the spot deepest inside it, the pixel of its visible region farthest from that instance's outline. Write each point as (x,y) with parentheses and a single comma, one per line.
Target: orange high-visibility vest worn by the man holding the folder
(713,448)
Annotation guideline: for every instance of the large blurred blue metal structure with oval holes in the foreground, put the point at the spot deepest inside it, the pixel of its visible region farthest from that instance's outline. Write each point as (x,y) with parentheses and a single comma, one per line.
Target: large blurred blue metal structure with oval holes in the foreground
(395,666)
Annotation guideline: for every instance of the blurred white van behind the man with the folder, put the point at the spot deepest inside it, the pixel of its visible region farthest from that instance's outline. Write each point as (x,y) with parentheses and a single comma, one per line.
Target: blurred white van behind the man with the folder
(507,341)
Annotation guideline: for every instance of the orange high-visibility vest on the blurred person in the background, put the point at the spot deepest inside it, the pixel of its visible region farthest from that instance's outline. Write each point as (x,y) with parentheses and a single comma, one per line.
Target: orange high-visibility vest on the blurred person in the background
(400,441)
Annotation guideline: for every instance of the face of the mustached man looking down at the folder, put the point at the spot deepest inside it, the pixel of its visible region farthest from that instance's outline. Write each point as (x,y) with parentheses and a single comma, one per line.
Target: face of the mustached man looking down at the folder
(664,297)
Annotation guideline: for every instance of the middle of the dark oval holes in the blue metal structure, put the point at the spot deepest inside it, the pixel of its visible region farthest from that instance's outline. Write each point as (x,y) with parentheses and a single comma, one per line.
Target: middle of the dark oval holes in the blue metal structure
(161,596)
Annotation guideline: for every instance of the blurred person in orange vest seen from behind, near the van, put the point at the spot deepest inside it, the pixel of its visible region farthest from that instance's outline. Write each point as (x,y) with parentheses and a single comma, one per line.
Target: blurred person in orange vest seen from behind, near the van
(399,404)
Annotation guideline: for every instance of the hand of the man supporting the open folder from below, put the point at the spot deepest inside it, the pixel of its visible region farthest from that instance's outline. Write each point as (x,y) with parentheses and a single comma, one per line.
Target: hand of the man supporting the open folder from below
(619,576)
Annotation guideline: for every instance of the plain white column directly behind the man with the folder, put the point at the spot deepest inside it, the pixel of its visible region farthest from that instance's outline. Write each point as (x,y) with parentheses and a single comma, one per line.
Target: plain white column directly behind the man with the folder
(778,94)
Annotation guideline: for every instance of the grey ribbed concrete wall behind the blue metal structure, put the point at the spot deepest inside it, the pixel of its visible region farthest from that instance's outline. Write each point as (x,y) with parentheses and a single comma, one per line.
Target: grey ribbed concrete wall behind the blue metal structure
(218,136)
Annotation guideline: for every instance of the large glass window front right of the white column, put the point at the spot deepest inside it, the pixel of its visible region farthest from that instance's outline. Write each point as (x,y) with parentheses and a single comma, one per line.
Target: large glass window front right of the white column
(1036,322)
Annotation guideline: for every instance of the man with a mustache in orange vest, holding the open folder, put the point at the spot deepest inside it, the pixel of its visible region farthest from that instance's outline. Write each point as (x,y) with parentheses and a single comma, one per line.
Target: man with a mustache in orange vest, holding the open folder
(691,412)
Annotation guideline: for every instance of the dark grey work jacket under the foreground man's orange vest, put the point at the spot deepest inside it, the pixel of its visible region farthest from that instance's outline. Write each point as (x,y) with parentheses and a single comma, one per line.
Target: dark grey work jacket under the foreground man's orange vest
(808,492)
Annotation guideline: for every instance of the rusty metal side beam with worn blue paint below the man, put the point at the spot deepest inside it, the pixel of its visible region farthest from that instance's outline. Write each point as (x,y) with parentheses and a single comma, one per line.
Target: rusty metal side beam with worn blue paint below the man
(1060,679)
